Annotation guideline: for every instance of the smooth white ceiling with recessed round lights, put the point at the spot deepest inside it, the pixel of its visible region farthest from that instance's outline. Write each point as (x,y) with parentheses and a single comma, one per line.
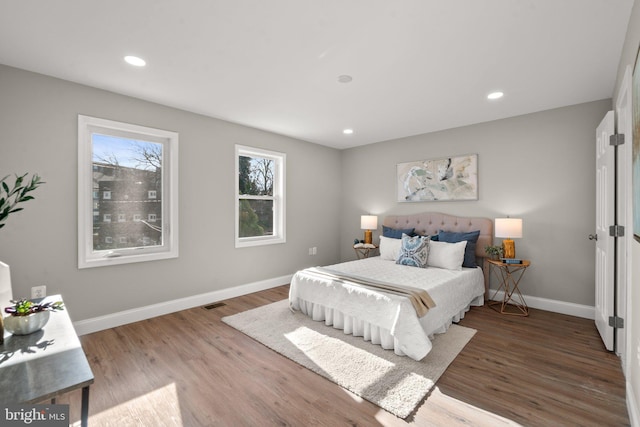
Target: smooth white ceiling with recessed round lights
(418,66)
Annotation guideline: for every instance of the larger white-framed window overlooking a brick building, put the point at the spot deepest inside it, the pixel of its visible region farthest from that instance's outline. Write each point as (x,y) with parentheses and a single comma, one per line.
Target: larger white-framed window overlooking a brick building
(124,163)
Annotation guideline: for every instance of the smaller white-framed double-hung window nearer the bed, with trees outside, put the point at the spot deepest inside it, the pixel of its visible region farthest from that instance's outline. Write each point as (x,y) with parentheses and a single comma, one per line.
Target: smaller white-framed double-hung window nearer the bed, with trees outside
(260,198)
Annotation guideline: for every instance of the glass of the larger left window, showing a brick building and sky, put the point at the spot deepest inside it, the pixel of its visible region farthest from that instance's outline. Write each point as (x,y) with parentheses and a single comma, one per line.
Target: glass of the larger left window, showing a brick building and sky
(126,172)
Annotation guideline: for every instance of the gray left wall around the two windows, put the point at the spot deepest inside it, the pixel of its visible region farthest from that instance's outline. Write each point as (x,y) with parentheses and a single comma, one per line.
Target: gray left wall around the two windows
(38,123)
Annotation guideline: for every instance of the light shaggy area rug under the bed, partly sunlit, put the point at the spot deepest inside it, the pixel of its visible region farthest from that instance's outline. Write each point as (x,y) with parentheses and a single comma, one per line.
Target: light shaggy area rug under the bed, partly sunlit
(397,384)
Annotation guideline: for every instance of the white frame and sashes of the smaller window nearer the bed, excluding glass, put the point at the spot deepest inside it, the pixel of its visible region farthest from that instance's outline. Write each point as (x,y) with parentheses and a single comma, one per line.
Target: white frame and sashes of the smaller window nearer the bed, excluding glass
(279,199)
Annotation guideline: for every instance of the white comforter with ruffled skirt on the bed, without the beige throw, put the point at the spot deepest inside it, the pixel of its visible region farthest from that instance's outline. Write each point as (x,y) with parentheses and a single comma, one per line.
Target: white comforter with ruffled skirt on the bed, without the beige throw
(385,319)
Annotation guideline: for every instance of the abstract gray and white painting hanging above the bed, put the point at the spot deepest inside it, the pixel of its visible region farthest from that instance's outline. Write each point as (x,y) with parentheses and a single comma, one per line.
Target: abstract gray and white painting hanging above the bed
(443,179)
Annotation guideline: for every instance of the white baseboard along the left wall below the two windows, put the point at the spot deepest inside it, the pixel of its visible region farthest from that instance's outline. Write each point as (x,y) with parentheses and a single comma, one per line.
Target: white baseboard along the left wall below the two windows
(100,323)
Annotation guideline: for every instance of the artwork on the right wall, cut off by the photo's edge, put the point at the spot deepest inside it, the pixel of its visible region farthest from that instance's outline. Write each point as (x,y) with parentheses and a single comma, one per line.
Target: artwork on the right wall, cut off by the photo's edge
(635,157)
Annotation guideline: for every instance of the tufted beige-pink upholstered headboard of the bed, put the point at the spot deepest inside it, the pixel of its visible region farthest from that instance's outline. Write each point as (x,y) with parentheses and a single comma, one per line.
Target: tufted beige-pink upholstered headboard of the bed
(431,222)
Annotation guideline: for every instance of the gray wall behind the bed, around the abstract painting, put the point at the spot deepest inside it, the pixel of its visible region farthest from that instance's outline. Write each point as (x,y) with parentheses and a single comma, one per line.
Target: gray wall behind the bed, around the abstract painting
(540,167)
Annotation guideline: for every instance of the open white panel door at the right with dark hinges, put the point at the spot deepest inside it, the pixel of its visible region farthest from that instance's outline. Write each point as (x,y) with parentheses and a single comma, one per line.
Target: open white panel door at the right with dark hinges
(605,208)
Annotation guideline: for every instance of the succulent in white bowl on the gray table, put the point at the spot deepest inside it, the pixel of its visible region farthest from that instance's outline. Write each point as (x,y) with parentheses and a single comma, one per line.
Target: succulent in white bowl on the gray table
(26,317)
